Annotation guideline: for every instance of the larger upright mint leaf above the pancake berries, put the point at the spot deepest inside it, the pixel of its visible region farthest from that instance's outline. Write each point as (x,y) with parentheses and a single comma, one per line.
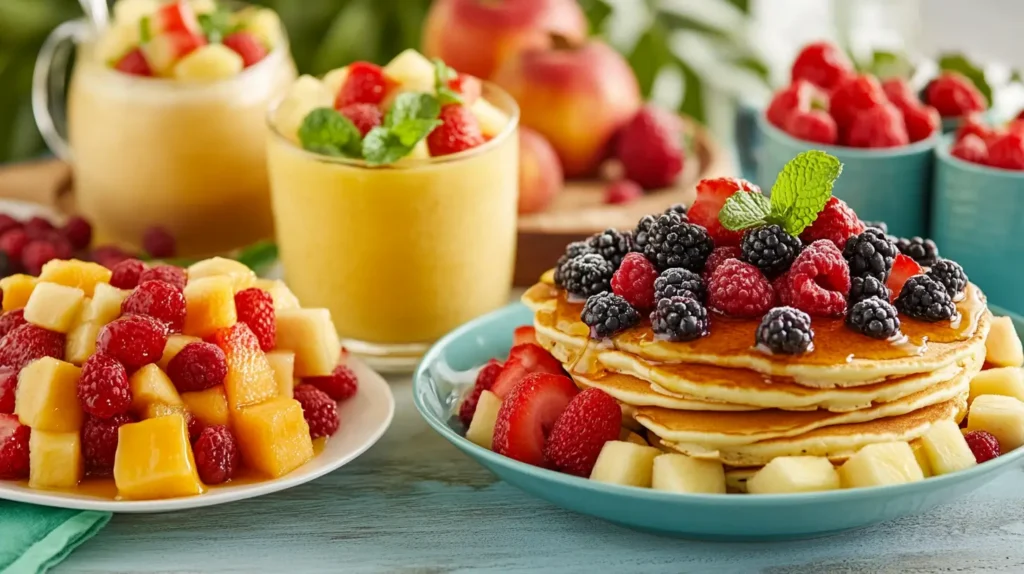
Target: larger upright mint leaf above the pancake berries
(802,190)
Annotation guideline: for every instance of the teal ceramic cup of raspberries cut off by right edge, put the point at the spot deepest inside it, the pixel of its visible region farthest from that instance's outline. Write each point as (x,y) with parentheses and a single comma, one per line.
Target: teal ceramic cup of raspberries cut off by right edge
(978,222)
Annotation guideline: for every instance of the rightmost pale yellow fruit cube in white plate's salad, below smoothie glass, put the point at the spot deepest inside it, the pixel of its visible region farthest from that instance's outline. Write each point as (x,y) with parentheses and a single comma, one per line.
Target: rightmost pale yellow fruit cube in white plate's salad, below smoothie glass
(311,334)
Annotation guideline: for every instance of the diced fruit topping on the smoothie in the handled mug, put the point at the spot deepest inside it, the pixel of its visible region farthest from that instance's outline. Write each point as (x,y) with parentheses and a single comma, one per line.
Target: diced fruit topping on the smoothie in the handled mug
(188,40)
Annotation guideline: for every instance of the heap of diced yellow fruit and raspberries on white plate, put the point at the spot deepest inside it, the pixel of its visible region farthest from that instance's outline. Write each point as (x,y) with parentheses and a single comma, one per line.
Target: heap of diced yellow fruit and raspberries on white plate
(160,380)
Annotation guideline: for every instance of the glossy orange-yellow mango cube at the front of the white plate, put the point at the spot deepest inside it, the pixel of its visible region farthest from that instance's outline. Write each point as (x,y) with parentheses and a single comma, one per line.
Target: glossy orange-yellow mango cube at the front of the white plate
(155,460)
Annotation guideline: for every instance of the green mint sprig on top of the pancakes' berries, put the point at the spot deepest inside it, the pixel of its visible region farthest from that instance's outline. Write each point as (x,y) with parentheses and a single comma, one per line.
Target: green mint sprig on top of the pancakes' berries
(800,193)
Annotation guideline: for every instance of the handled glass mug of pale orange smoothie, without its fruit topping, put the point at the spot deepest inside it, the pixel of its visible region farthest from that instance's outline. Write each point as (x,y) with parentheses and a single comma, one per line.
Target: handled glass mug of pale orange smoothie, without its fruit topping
(145,152)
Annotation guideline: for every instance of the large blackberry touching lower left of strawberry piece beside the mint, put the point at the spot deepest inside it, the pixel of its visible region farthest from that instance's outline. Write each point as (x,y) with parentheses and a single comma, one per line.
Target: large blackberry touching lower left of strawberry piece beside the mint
(672,243)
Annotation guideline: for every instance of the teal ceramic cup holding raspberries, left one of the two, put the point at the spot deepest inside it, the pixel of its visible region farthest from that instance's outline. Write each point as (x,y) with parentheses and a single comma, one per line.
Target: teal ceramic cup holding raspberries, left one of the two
(887,185)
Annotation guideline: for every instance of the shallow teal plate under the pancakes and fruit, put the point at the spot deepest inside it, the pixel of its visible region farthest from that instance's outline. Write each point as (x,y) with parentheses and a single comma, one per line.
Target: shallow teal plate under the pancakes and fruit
(442,378)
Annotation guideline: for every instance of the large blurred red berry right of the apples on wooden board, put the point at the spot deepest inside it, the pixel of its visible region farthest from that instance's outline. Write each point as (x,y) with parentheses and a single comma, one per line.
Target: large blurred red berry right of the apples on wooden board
(650,148)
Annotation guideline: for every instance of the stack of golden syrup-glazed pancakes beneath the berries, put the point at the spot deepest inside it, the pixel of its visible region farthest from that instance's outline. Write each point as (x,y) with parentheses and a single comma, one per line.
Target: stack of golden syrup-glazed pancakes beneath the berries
(722,399)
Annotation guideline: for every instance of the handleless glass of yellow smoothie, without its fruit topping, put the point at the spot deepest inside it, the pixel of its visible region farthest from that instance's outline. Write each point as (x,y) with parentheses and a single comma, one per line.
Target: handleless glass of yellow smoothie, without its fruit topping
(400,254)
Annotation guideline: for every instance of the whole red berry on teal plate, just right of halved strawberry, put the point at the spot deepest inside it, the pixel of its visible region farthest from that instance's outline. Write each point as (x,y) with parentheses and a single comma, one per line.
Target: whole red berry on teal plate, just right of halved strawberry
(591,420)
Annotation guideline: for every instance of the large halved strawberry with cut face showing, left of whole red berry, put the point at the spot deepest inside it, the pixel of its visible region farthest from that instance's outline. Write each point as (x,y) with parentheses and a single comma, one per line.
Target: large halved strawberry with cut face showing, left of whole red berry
(528,415)
